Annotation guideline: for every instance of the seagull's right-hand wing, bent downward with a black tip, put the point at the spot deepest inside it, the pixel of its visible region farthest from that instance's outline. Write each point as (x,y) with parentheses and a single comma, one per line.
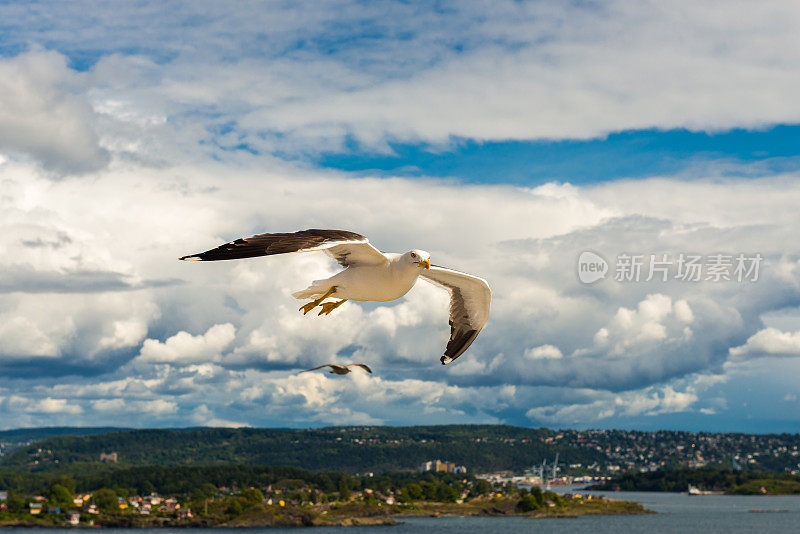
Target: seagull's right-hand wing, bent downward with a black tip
(470,300)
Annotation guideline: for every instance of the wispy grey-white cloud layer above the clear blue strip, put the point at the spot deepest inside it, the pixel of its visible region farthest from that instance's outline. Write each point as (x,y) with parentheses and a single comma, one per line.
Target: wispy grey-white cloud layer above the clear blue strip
(256,80)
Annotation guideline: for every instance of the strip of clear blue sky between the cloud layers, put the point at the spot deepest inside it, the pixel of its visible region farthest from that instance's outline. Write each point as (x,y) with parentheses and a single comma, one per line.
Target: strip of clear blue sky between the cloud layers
(629,154)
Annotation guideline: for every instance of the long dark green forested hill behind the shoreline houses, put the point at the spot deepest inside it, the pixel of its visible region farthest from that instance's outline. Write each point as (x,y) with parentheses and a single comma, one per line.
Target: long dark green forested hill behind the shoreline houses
(348,449)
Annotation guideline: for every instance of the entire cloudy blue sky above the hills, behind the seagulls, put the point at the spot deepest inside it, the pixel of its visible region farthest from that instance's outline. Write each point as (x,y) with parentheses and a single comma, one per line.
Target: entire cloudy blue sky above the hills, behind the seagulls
(506,142)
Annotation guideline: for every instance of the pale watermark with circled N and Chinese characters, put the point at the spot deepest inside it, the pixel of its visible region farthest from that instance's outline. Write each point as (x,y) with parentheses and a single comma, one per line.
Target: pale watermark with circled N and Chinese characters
(681,267)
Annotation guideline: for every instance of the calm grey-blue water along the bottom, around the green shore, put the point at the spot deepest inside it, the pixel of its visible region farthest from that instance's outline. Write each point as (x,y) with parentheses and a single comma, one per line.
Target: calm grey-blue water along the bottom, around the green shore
(677,513)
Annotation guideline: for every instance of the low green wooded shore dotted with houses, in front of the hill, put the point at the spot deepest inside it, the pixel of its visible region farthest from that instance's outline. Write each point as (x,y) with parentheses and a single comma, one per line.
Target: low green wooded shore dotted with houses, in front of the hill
(263,496)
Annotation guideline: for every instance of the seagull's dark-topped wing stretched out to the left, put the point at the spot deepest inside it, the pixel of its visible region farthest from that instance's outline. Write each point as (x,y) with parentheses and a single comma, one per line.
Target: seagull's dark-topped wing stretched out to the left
(347,248)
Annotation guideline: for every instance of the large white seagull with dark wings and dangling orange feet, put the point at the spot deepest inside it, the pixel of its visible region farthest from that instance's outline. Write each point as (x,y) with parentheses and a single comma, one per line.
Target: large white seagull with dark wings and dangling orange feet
(371,275)
